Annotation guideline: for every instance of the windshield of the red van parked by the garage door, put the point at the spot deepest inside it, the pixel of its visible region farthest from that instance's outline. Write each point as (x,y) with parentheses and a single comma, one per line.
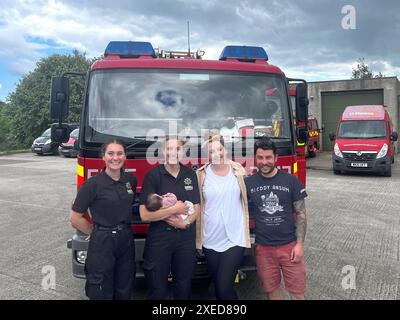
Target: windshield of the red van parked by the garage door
(362,129)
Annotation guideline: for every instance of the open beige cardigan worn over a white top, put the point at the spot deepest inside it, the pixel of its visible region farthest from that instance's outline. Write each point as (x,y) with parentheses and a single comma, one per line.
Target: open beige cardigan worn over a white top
(239,173)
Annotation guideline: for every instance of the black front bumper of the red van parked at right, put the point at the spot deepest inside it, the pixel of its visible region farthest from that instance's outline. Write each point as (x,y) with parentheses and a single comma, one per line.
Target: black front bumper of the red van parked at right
(378,166)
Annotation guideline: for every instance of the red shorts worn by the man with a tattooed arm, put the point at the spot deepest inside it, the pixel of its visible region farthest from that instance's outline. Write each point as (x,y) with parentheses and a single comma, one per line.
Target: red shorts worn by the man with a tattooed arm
(272,260)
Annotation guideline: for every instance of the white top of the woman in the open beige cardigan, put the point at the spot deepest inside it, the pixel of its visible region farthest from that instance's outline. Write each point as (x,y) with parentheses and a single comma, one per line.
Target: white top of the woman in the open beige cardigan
(223,212)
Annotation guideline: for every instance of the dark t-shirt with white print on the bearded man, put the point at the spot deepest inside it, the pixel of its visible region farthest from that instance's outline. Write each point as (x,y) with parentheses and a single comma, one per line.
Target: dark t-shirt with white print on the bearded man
(273,206)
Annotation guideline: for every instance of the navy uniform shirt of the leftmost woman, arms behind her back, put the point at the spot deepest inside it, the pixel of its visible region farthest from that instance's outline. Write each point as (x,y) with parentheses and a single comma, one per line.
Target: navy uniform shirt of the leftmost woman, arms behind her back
(110,202)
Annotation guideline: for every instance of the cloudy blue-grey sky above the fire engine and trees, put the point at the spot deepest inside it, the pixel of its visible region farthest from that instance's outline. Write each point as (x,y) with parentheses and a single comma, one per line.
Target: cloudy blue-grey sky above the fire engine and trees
(305,38)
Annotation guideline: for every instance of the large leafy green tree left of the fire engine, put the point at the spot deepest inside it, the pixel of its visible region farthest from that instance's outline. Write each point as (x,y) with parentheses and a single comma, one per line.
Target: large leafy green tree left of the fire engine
(29,106)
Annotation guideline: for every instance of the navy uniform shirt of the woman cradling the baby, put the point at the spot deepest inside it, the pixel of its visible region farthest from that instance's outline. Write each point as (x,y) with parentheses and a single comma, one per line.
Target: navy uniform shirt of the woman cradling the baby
(159,180)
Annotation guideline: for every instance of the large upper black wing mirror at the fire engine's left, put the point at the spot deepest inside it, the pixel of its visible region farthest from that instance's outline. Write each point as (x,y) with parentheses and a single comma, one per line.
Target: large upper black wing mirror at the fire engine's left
(59,98)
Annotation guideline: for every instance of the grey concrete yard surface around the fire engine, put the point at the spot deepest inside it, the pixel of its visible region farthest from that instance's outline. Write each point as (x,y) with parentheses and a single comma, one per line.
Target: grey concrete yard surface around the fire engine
(352,246)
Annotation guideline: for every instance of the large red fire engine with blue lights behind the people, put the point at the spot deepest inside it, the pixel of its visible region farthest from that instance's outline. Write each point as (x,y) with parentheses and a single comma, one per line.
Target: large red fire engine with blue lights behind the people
(139,95)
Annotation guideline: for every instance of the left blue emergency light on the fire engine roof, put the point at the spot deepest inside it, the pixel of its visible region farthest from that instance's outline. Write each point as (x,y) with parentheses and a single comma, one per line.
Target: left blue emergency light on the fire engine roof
(130,49)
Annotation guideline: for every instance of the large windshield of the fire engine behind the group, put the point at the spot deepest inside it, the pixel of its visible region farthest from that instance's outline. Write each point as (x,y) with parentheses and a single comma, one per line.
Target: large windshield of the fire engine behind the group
(143,103)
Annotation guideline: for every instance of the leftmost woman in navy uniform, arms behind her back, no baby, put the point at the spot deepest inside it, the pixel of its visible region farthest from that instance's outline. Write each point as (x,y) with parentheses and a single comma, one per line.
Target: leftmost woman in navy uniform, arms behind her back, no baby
(110,263)
